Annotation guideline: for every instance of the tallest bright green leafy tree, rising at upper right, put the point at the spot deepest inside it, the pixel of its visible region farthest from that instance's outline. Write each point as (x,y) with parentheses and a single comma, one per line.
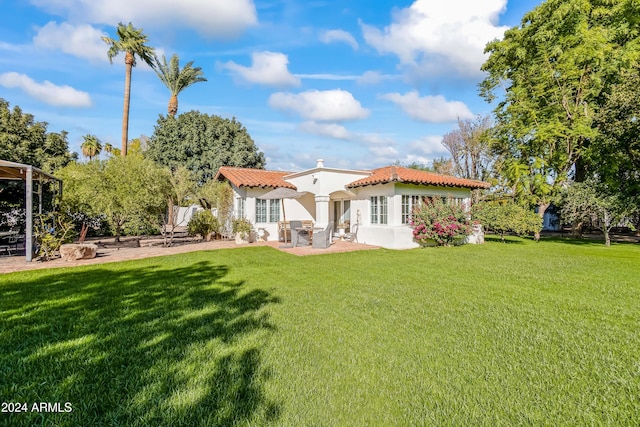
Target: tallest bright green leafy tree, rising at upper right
(552,73)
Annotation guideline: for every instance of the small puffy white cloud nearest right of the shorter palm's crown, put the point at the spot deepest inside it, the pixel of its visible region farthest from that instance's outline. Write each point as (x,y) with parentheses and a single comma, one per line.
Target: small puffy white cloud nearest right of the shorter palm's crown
(267,68)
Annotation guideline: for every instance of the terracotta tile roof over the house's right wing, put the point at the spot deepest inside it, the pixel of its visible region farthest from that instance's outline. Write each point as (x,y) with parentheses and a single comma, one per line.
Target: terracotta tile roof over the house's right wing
(413,176)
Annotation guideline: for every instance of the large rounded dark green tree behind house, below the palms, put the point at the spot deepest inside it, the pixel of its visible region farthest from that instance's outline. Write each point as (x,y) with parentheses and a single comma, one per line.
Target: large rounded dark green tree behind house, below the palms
(202,143)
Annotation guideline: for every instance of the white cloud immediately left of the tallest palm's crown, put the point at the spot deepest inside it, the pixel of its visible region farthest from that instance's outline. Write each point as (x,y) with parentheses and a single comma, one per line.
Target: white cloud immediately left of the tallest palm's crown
(82,41)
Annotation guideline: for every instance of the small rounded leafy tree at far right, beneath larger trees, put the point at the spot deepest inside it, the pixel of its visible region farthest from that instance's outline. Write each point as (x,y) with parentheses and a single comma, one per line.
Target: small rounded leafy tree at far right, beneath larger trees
(592,202)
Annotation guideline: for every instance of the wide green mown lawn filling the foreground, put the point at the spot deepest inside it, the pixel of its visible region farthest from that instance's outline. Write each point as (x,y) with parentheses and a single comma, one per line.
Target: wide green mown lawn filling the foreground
(496,334)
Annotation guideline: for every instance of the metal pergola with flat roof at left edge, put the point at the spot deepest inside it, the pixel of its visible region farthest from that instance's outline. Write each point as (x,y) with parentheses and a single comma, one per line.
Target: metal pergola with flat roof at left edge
(12,171)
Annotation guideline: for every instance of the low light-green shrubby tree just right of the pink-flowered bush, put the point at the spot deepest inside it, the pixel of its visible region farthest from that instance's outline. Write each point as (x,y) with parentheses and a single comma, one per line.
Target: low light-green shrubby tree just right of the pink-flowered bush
(506,217)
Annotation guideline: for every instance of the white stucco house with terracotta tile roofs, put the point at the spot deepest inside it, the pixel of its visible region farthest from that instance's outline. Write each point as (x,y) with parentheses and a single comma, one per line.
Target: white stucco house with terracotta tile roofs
(380,201)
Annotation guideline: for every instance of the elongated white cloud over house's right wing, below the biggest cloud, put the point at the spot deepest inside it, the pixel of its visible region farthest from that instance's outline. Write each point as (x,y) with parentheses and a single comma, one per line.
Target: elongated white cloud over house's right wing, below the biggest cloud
(430,109)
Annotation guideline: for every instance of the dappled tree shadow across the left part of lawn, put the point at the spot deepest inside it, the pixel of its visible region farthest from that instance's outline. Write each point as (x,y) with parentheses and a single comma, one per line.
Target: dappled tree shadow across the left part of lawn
(150,346)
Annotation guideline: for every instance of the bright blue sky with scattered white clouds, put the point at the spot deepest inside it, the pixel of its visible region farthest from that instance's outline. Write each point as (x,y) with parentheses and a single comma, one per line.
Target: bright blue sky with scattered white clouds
(360,84)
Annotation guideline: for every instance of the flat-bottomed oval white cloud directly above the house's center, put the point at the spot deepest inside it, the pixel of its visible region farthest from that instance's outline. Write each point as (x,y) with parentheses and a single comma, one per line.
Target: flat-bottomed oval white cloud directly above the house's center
(330,105)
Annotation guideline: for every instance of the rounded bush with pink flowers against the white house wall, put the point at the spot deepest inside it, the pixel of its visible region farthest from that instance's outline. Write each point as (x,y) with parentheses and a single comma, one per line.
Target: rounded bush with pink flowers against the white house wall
(439,221)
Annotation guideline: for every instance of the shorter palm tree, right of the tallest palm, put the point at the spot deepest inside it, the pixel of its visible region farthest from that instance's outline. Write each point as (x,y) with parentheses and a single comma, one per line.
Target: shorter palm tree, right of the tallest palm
(176,79)
